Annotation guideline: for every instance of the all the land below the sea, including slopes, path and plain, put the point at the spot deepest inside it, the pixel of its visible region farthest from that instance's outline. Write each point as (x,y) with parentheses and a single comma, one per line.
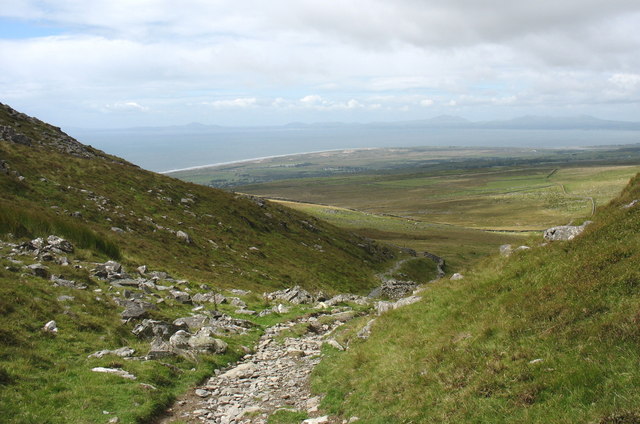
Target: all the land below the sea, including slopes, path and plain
(317,293)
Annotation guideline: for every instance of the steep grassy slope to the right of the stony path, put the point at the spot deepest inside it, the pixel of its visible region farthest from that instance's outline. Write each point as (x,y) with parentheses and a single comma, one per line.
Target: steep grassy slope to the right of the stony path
(547,335)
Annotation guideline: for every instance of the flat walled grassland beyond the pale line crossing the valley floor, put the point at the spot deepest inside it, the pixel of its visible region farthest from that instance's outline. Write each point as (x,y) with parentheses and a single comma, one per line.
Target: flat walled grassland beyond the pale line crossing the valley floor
(503,198)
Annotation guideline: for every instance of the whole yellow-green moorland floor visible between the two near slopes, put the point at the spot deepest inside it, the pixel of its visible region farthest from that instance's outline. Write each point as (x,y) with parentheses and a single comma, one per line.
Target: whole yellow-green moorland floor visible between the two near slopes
(460,214)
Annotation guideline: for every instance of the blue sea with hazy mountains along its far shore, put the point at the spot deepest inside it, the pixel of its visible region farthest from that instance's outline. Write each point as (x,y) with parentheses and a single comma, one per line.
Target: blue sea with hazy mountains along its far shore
(196,144)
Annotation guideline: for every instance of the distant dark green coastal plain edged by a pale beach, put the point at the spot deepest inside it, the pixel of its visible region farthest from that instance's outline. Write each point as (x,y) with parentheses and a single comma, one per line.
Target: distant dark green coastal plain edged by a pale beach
(348,162)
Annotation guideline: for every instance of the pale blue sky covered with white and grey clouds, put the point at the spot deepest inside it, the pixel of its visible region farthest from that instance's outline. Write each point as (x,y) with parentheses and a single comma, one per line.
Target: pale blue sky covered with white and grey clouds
(124,63)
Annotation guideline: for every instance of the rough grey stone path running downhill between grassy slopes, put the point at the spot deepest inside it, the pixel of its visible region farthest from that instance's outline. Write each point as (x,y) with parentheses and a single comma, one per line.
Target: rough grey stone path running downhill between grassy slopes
(275,376)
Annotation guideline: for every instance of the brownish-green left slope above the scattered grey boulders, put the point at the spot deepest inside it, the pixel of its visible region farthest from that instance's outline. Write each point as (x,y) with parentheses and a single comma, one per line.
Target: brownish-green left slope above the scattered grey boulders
(57,183)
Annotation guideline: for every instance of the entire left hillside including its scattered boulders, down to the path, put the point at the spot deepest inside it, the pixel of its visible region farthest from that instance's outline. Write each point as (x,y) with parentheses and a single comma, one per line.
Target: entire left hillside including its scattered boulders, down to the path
(105,266)
